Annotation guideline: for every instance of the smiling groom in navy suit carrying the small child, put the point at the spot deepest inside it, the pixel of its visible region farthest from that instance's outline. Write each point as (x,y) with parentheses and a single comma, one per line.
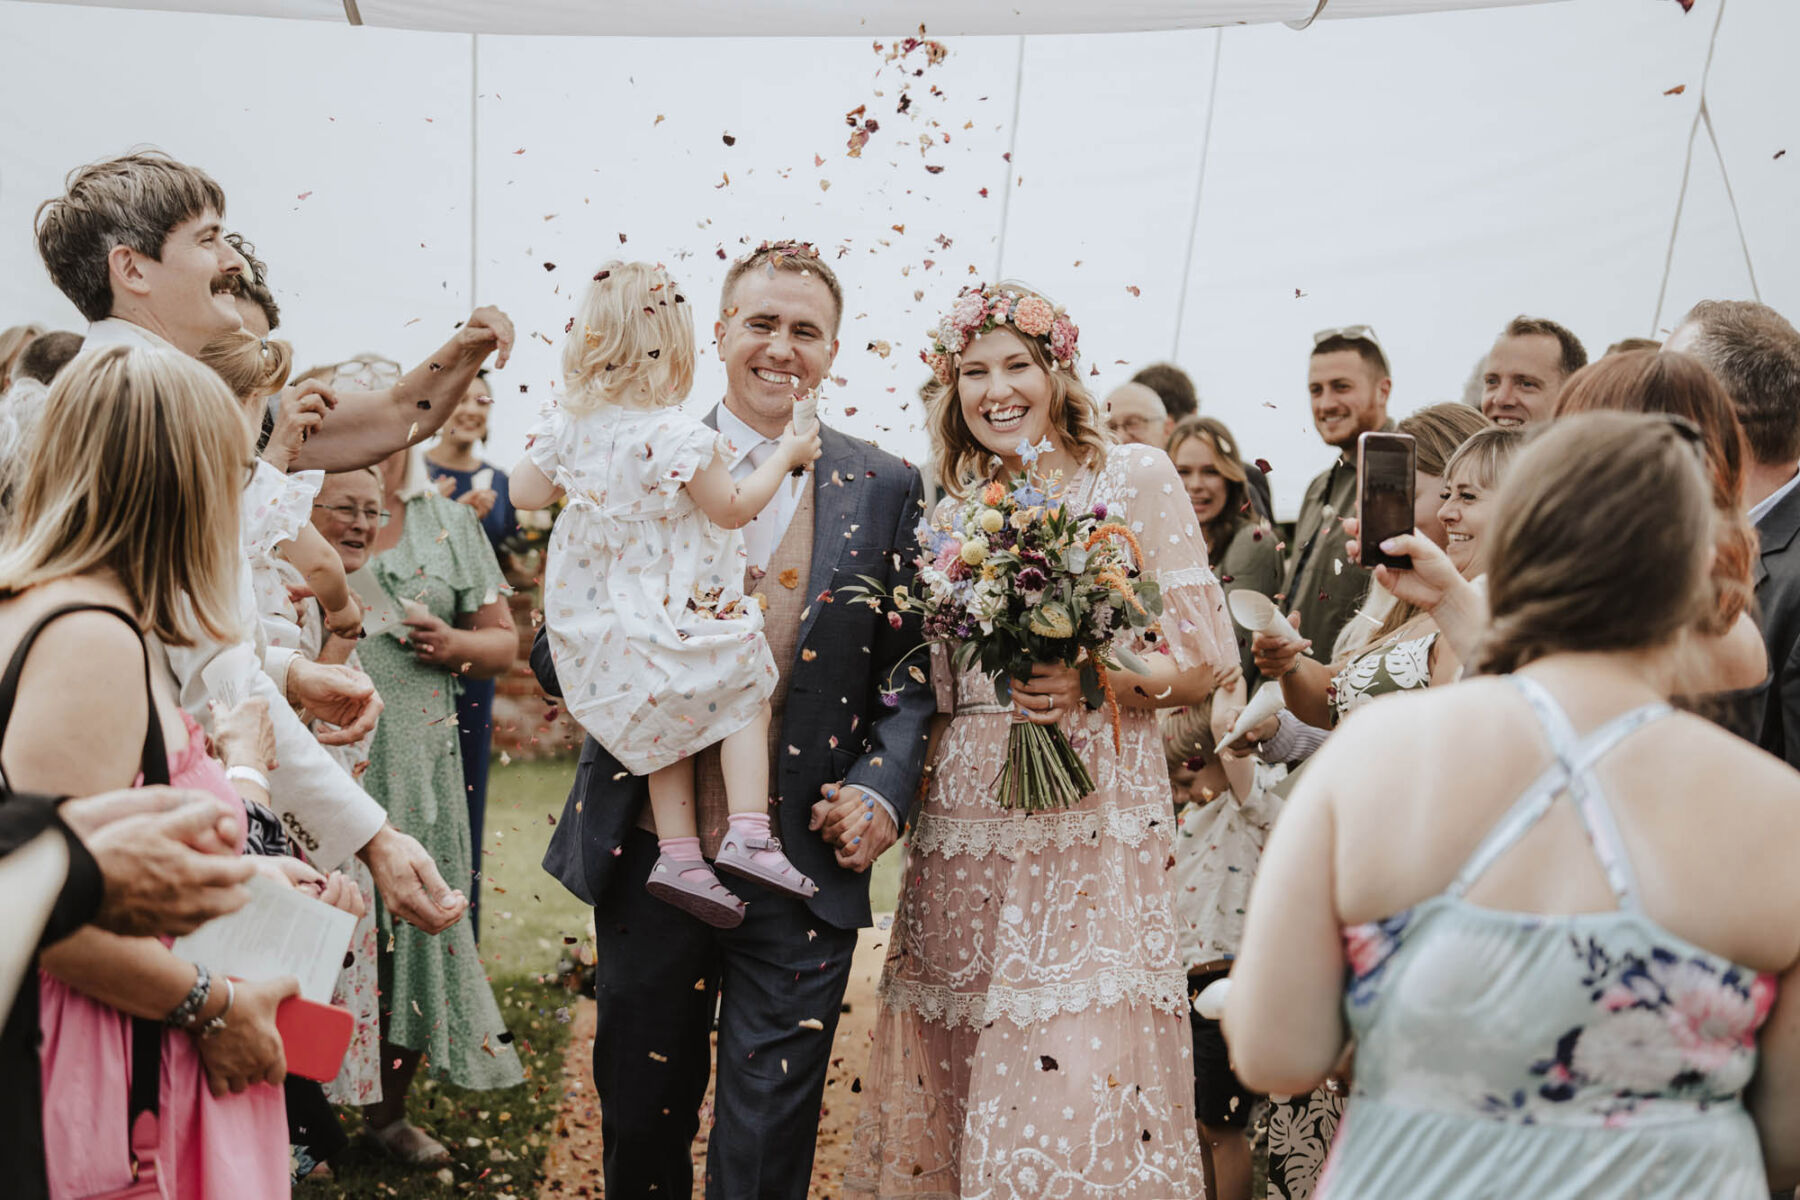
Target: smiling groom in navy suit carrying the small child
(847,749)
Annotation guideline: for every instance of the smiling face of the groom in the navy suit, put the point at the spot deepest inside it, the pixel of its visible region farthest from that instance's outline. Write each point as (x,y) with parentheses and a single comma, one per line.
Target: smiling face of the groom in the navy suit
(777,337)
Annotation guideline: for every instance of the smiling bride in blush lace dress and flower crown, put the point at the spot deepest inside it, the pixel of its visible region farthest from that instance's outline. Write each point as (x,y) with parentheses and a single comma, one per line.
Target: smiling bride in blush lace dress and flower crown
(1034,1037)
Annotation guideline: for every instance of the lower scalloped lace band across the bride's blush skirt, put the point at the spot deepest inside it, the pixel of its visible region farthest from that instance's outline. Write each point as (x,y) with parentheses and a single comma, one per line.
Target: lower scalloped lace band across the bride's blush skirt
(1025,1007)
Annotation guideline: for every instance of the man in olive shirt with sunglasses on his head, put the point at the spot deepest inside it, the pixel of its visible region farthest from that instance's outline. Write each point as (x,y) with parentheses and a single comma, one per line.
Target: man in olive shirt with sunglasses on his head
(1349,382)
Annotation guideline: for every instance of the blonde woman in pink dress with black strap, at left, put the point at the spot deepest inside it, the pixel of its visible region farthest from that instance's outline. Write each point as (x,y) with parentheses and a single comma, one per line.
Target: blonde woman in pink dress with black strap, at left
(127,526)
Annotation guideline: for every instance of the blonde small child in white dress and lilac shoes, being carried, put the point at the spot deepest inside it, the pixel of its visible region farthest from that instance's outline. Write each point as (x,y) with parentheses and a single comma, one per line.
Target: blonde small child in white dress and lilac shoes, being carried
(658,650)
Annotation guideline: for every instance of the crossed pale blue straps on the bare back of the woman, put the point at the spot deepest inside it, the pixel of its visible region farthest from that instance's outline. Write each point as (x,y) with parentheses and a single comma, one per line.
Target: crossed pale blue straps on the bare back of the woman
(1570,773)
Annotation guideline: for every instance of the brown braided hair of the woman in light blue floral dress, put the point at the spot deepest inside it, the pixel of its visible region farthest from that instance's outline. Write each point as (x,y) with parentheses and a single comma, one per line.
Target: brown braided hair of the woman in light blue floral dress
(1603,539)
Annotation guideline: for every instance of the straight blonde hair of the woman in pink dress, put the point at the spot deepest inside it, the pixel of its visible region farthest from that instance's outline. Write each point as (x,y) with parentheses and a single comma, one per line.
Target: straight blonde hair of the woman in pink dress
(138,467)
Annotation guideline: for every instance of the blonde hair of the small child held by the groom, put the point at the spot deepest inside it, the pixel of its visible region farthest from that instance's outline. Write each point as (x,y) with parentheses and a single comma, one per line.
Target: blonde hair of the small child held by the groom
(633,334)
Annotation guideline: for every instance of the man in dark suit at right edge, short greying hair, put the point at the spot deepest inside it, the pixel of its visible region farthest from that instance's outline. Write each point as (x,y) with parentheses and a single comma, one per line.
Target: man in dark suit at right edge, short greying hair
(1756,354)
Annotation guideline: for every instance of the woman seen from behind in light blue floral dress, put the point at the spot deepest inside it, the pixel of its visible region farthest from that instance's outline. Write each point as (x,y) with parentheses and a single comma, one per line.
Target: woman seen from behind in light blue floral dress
(1558,967)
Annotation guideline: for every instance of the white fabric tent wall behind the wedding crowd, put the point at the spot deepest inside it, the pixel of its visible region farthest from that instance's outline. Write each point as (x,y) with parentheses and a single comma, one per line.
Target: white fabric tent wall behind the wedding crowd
(1430,175)
